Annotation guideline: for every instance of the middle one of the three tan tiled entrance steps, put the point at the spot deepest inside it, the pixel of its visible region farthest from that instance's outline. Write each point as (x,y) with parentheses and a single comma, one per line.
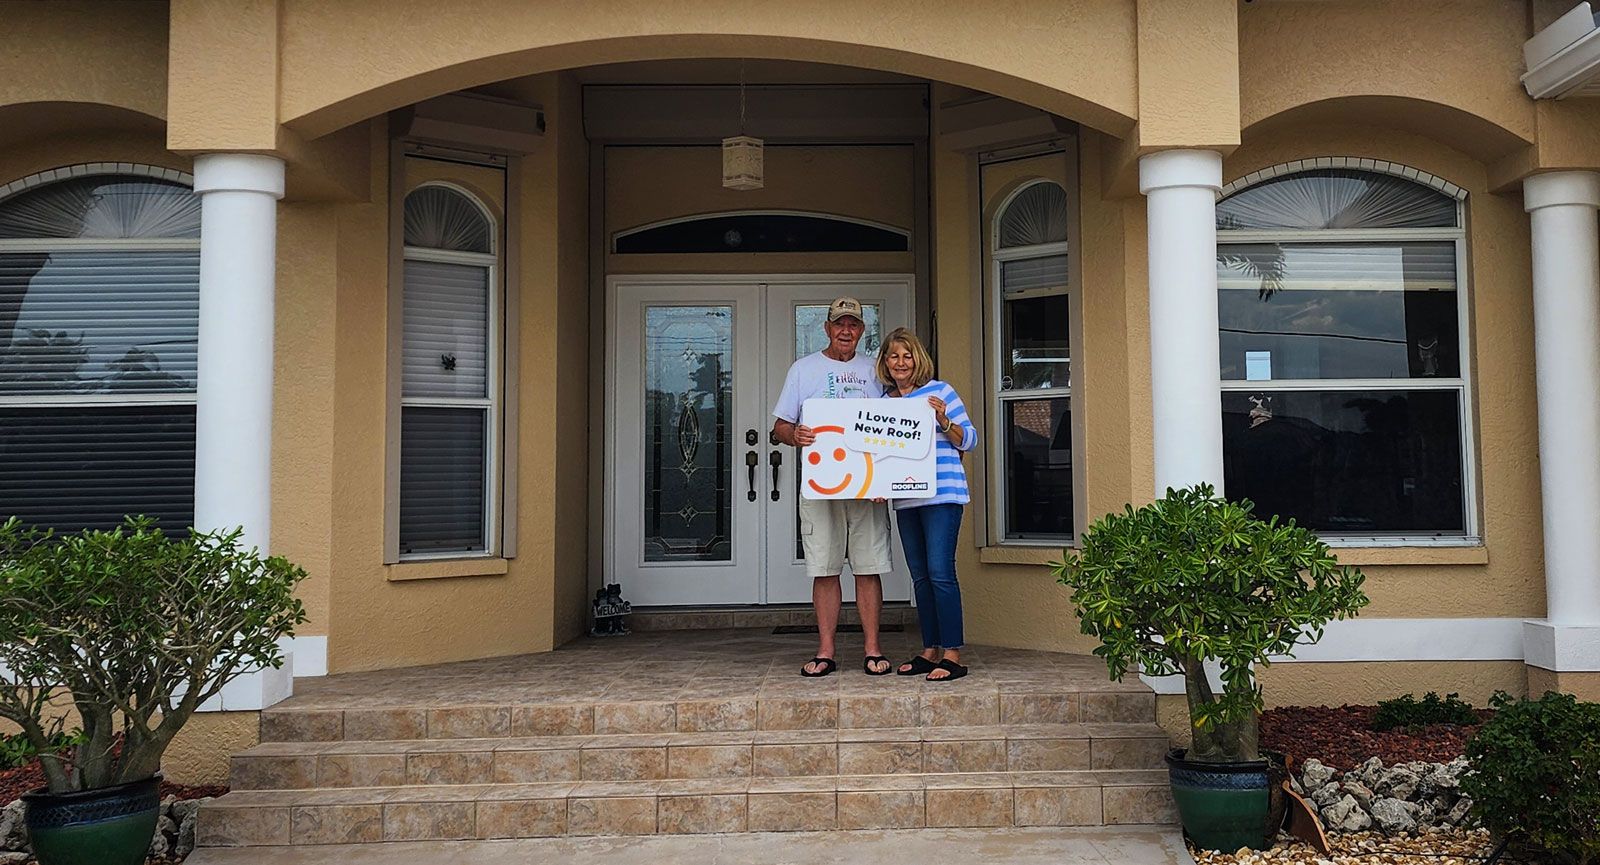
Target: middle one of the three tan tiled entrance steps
(700,755)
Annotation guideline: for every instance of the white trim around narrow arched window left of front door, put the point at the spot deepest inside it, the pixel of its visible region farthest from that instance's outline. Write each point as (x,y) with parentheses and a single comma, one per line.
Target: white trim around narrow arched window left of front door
(494,362)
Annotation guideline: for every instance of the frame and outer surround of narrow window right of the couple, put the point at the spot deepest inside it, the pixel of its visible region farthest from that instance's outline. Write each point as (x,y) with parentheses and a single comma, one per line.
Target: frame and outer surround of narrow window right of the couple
(996,399)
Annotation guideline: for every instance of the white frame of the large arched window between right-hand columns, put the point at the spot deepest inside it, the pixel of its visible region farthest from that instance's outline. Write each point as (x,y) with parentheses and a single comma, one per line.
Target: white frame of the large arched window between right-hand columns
(1462,386)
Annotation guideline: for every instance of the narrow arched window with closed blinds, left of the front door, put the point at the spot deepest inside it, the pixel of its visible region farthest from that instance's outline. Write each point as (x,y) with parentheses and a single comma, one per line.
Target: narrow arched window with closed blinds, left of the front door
(450,375)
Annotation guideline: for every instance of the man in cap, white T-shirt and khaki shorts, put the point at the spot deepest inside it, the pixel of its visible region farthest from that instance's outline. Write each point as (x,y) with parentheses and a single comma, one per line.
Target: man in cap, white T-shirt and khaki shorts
(834,532)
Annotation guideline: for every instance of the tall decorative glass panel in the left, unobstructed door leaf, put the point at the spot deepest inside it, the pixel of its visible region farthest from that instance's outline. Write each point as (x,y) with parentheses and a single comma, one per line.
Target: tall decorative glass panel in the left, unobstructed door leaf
(689,434)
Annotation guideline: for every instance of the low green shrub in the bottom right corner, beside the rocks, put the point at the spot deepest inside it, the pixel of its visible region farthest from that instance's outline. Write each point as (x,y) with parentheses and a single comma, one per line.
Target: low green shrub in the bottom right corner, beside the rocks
(1535,776)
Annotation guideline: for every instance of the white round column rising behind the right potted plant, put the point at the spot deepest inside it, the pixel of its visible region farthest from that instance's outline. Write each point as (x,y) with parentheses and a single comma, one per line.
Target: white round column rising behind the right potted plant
(1185,369)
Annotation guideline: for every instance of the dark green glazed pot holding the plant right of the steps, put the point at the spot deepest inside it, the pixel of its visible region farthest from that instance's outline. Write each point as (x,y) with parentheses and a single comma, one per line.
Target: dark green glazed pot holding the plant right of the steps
(1226,807)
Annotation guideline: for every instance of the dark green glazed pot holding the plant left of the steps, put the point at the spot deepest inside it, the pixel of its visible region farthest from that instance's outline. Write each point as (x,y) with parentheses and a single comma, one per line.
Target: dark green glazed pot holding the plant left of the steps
(111,826)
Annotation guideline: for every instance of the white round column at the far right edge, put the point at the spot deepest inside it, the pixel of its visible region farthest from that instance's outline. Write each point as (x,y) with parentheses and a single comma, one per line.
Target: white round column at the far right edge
(1567,354)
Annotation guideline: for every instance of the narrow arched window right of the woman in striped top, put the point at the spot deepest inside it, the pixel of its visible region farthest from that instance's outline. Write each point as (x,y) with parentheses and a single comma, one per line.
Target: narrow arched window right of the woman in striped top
(1031,365)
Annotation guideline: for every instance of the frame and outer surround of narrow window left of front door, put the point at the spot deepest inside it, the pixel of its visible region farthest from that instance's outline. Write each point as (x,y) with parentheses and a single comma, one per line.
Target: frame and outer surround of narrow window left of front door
(495,538)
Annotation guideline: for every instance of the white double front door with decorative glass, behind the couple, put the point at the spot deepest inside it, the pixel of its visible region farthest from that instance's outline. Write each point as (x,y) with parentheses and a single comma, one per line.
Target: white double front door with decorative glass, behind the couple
(702,504)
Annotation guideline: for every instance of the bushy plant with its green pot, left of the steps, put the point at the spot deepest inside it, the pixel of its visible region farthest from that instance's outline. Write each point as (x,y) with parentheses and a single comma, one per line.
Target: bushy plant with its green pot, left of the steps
(132,631)
